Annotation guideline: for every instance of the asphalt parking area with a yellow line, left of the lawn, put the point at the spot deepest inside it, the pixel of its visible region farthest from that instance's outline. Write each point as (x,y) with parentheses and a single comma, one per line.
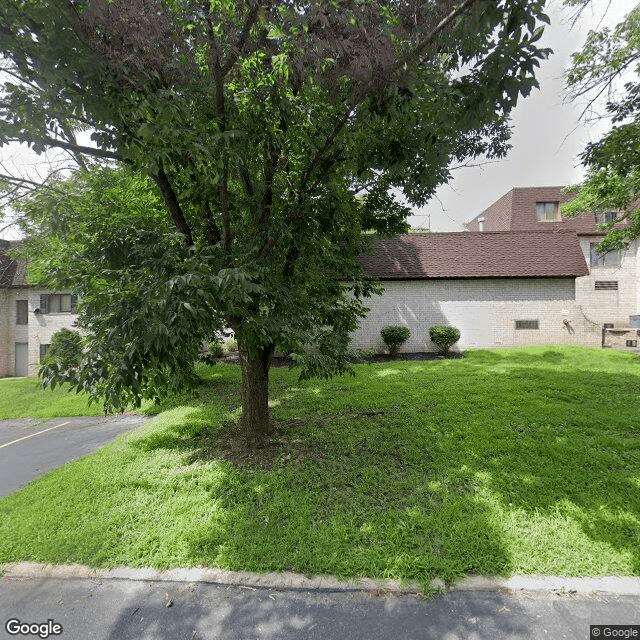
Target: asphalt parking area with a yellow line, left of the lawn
(29,448)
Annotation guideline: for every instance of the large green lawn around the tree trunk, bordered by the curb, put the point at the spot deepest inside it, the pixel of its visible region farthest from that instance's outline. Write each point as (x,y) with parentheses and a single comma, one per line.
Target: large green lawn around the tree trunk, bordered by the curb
(504,462)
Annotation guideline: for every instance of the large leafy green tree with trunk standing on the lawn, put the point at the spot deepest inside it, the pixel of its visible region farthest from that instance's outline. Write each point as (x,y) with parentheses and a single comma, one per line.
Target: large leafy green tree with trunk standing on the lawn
(275,132)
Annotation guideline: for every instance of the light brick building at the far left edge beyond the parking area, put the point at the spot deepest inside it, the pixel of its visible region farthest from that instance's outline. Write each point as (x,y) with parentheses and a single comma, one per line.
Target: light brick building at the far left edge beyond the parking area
(29,316)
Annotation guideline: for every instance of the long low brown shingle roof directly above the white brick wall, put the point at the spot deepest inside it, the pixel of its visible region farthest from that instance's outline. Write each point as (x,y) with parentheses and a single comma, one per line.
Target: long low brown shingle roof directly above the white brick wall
(507,254)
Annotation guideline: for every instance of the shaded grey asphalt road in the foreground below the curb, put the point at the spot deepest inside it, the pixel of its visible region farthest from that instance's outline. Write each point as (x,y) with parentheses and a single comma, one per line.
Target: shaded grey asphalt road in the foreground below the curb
(134,609)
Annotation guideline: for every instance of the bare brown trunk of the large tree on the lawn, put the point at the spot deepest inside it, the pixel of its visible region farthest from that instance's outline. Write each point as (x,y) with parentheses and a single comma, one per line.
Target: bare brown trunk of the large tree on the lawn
(254,422)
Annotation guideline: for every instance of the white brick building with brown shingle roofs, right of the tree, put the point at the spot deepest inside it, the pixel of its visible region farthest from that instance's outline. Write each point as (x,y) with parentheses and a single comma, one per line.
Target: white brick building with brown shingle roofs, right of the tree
(523,275)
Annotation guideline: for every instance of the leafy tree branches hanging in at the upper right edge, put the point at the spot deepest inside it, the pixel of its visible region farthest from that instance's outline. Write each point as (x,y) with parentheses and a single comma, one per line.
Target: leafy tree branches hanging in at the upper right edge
(607,69)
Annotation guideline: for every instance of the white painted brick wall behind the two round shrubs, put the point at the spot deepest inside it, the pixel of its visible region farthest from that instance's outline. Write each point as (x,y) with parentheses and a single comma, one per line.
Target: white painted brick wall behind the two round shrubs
(485,311)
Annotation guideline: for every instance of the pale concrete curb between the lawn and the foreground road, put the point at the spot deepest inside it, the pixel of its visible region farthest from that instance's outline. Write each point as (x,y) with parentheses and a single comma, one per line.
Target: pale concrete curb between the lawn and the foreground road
(627,586)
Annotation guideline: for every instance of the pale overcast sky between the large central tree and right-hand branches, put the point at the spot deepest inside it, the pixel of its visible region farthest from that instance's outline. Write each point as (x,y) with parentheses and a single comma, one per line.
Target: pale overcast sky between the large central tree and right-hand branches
(547,136)
